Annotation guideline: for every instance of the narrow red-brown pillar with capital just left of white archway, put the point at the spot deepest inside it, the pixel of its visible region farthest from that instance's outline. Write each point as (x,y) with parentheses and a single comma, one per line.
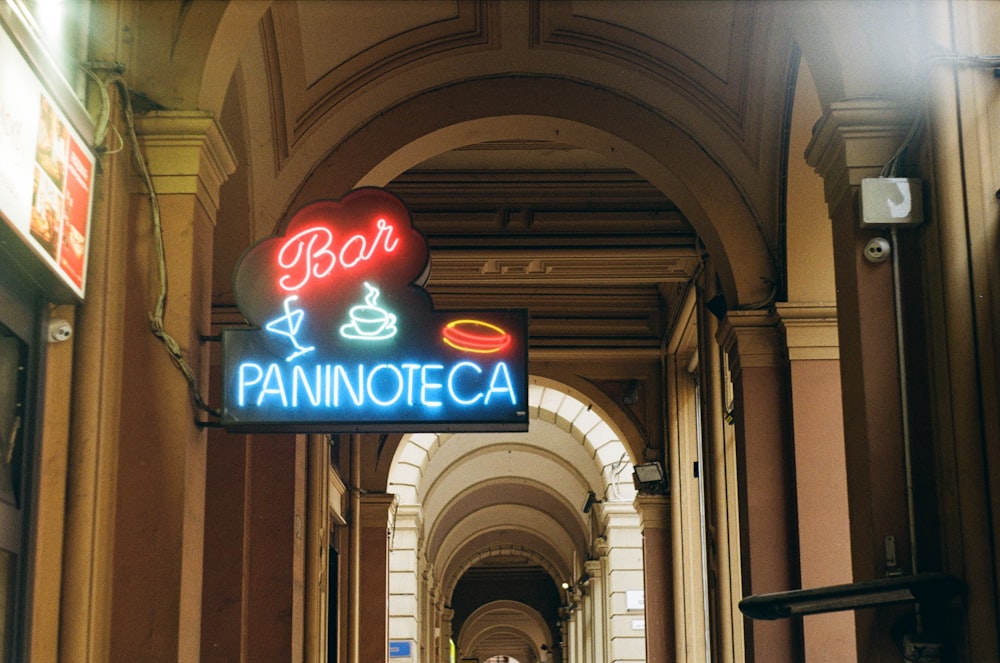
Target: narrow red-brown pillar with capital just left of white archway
(375,523)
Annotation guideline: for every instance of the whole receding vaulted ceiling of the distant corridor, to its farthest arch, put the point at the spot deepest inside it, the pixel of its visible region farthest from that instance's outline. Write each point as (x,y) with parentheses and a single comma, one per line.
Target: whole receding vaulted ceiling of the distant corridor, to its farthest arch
(503,521)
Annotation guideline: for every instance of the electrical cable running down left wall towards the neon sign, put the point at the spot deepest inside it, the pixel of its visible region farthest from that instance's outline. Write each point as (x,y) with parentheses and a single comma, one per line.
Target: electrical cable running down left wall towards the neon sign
(173,348)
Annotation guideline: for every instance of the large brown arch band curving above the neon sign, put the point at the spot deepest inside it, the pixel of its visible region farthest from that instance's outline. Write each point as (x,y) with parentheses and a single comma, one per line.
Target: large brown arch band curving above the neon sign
(587,117)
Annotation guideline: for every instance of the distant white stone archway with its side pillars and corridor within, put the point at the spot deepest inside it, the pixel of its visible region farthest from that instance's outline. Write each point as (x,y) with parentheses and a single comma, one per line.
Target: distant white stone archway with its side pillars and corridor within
(474,503)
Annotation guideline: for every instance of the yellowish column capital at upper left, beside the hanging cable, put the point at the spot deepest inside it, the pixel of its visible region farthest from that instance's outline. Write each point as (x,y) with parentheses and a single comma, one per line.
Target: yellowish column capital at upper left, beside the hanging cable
(186,153)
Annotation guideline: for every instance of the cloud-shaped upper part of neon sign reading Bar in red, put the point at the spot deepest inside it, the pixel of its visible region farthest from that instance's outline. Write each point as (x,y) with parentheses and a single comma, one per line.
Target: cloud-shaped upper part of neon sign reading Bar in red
(328,253)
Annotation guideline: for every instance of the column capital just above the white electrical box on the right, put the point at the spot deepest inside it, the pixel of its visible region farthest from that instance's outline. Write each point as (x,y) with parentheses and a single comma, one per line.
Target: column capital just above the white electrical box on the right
(853,140)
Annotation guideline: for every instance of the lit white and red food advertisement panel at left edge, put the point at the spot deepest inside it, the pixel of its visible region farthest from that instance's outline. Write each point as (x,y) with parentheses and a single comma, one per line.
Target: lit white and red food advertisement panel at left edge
(46,174)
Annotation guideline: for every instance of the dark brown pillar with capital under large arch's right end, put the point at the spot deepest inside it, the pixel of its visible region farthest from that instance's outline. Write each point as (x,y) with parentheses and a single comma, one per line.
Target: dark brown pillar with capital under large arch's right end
(765,466)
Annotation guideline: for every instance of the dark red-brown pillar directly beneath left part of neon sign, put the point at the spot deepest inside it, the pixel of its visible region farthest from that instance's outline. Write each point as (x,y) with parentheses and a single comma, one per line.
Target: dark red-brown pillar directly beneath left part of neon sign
(253,590)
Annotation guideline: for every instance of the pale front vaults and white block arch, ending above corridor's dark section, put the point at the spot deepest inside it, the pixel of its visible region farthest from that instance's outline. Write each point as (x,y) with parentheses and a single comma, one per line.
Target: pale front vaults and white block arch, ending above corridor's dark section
(483,495)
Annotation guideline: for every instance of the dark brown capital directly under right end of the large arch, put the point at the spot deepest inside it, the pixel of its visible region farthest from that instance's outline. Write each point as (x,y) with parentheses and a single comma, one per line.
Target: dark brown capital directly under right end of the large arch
(751,339)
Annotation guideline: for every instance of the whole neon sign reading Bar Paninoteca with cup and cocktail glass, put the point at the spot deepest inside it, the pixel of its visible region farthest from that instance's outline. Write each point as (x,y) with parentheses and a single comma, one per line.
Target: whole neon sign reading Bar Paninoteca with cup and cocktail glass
(345,339)
